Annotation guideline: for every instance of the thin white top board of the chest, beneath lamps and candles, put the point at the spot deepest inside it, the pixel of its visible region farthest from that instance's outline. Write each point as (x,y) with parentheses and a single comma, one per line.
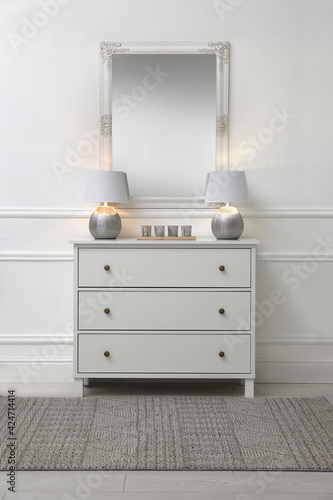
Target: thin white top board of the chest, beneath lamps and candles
(131,242)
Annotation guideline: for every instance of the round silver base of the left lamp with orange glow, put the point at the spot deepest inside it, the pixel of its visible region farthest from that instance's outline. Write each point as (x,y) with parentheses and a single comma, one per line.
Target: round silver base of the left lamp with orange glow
(105,223)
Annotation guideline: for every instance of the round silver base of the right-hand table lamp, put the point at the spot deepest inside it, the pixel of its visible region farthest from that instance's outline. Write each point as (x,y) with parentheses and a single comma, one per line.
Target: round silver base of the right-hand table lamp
(227,223)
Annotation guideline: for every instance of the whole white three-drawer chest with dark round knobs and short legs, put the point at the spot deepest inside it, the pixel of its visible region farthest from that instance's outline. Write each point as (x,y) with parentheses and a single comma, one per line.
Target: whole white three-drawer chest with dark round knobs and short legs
(164,309)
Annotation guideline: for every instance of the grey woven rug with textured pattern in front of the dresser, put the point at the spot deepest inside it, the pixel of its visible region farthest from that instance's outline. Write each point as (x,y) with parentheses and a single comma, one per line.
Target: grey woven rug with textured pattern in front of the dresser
(170,433)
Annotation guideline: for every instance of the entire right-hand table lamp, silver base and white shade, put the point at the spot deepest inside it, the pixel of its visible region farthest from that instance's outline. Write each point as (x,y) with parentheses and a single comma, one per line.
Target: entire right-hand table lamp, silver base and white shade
(225,186)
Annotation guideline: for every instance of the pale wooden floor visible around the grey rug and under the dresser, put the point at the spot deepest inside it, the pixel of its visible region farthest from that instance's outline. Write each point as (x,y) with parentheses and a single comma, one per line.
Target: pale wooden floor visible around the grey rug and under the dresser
(141,485)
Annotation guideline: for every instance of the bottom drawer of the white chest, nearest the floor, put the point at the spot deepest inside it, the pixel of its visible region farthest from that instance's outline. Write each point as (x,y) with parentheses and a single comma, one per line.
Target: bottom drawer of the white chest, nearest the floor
(174,353)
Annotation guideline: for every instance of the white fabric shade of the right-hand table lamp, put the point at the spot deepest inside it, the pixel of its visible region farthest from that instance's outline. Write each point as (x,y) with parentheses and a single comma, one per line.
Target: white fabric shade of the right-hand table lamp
(224,186)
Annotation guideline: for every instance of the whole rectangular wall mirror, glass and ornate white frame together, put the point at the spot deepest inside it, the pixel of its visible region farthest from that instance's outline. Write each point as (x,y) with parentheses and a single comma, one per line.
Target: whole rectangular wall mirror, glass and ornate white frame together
(164,117)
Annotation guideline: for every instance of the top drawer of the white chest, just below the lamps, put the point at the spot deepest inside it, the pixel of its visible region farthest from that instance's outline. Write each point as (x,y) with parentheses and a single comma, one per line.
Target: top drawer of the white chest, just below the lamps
(163,267)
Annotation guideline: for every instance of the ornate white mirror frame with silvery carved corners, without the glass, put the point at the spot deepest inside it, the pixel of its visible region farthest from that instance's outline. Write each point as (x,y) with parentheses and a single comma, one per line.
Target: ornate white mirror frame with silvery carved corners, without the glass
(221,51)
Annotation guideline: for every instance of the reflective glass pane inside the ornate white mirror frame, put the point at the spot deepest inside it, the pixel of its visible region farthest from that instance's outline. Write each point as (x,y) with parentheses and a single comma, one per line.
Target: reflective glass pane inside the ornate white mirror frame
(164,122)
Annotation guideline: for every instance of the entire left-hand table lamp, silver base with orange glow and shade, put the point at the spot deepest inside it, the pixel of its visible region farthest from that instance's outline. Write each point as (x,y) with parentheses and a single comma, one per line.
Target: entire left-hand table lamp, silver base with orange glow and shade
(108,187)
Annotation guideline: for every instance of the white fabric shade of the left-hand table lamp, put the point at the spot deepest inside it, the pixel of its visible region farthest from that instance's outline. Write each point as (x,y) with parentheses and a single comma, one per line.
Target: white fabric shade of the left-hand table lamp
(106,186)
